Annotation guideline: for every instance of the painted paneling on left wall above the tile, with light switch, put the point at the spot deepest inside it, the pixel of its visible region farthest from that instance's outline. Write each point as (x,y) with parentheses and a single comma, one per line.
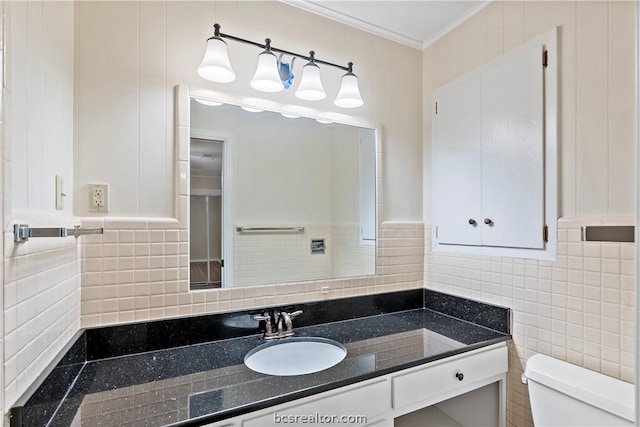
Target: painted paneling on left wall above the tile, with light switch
(40,80)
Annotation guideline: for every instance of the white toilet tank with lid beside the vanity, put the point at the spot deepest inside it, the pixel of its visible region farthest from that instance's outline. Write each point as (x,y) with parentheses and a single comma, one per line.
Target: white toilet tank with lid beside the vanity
(563,394)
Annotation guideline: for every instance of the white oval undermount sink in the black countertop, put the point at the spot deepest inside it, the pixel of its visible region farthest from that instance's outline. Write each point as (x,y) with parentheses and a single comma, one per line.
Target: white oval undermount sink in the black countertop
(295,356)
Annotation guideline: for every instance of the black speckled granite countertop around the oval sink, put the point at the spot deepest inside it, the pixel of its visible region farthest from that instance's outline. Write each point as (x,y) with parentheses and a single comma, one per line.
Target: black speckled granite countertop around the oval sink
(202,383)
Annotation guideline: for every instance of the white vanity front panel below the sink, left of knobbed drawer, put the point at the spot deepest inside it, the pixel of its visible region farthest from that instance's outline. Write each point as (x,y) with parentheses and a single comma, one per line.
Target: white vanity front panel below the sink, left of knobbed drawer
(370,400)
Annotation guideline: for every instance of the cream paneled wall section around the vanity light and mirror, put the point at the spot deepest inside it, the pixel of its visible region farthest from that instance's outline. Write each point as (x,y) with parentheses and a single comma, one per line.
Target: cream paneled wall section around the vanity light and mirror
(125,82)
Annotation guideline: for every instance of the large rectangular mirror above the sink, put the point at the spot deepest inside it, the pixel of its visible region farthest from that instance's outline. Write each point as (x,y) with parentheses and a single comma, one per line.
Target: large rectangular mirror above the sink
(278,199)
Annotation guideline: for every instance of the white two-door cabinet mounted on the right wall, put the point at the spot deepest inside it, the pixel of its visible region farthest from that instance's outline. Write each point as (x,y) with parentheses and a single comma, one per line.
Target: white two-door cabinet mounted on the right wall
(494,156)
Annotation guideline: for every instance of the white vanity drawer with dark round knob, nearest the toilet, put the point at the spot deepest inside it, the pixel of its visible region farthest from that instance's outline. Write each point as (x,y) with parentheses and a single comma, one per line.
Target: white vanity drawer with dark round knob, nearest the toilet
(435,381)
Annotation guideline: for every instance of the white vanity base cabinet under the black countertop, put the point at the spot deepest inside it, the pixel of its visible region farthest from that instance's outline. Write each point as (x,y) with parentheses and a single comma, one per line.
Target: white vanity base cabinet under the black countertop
(477,378)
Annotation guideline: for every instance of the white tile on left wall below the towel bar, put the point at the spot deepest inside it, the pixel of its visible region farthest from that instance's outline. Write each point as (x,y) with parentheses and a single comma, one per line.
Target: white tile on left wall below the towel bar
(41,307)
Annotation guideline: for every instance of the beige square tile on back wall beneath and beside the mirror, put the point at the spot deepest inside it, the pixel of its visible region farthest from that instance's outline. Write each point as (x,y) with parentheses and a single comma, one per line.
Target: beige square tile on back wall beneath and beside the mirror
(138,271)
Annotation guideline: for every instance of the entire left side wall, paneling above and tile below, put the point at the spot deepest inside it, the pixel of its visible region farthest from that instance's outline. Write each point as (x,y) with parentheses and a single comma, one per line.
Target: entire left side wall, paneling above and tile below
(41,278)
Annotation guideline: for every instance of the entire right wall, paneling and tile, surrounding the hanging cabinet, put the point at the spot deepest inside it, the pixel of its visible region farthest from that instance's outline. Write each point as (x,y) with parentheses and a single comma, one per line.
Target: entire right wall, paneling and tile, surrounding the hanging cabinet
(580,307)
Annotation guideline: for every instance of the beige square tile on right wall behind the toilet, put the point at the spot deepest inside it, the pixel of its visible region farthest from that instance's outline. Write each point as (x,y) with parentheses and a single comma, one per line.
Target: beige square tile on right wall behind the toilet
(579,308)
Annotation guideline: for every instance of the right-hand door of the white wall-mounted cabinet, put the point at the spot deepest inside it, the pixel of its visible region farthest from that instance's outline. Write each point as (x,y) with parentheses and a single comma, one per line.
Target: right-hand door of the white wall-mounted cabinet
(513,151)
